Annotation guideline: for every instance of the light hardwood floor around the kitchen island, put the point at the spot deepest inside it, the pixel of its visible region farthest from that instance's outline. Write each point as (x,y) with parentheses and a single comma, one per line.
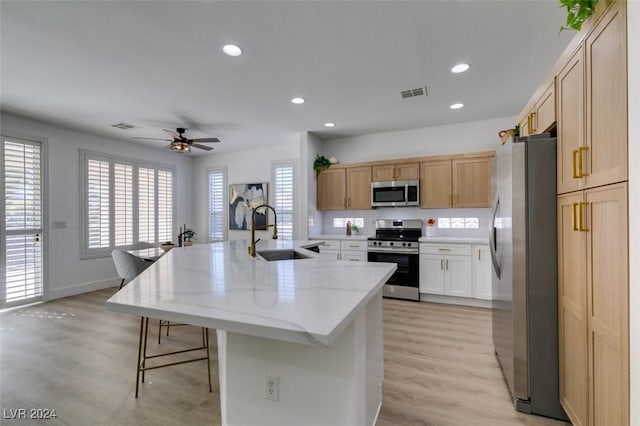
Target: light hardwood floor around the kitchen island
(73,356)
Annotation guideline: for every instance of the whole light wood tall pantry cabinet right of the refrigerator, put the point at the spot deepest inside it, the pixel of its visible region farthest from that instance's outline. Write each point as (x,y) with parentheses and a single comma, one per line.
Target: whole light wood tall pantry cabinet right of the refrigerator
(593,311)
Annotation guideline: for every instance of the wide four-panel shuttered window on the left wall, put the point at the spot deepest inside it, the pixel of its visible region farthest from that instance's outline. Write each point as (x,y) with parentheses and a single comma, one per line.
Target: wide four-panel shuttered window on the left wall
(125,202)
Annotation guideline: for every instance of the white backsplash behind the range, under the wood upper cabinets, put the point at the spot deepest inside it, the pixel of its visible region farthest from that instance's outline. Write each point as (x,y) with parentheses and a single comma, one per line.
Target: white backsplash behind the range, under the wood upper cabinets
(324,220)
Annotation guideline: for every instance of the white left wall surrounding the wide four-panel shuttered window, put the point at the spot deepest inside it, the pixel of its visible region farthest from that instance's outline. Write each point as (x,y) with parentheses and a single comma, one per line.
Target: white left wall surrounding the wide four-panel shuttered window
(67,274)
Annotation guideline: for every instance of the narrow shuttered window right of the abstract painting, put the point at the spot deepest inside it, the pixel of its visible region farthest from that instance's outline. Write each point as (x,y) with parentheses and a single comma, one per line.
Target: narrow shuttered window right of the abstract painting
(283,190)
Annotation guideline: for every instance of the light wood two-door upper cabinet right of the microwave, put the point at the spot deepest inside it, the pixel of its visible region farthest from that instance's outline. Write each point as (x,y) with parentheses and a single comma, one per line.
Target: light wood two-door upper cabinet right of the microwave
(457,183)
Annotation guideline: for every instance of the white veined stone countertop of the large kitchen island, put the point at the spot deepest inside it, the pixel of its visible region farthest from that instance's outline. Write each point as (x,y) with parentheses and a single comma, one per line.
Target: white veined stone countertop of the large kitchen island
(220,286)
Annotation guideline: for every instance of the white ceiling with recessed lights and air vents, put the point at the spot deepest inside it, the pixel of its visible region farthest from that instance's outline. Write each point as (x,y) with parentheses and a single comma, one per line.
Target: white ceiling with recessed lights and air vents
(90,64)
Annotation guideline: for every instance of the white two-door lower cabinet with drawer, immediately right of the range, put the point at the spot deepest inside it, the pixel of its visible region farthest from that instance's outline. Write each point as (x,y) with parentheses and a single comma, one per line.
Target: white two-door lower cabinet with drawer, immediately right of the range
(445,269)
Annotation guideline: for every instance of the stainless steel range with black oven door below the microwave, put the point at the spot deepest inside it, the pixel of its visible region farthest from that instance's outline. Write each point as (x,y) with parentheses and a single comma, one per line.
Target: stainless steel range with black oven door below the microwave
(396,241)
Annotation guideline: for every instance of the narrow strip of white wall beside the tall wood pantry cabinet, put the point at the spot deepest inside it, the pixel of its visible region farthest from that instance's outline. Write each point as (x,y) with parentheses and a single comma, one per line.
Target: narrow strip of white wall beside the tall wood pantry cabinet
(633,48)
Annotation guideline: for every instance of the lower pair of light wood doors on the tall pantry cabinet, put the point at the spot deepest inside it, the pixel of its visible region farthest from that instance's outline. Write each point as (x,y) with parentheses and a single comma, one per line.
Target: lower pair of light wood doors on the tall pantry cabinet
(593,310)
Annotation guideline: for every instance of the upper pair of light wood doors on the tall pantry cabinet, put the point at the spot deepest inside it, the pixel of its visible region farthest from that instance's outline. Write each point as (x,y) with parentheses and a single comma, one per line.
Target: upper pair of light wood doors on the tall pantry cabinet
(592,108)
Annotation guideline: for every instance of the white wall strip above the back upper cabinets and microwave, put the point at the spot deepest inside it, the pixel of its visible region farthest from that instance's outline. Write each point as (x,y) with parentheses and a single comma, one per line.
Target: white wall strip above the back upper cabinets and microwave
(439,140)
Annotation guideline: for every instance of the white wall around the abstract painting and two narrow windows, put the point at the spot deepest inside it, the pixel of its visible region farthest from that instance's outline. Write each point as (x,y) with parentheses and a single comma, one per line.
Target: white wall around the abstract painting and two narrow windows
(242,167)
